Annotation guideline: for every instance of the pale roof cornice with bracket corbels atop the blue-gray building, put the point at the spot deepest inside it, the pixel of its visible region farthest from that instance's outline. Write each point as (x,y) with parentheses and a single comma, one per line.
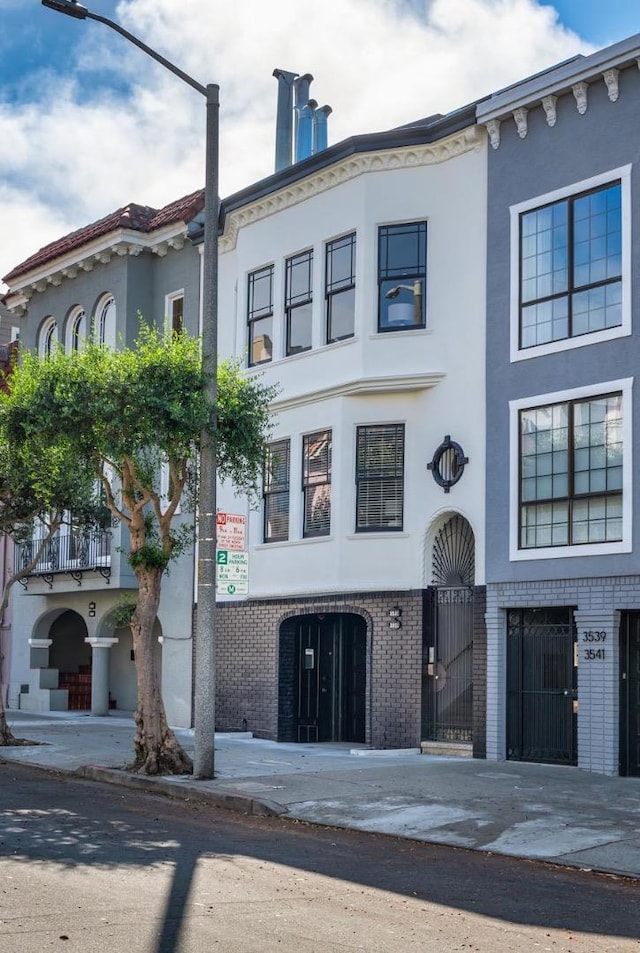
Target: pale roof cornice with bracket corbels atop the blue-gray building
(573,76)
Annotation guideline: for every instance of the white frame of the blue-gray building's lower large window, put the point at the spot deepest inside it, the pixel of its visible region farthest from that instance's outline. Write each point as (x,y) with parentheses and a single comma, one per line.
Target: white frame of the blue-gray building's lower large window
(624,386)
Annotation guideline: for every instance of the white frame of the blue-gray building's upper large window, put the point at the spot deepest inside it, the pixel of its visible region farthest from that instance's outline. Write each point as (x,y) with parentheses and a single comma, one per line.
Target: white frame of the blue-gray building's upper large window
(607,334)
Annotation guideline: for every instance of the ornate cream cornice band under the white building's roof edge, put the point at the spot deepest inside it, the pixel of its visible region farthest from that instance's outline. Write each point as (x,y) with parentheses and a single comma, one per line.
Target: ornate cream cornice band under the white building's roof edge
(466,140)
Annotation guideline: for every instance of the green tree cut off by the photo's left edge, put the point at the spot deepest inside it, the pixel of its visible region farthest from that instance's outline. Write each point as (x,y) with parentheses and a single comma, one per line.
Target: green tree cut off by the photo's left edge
(36,496)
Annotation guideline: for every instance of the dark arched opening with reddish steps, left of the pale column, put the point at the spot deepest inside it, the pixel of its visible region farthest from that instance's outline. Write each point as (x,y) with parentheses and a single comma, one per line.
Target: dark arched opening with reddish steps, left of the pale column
(71,656)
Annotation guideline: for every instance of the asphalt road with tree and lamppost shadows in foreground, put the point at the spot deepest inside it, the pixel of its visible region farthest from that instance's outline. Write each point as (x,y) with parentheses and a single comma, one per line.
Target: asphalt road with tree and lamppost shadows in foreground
(86,867)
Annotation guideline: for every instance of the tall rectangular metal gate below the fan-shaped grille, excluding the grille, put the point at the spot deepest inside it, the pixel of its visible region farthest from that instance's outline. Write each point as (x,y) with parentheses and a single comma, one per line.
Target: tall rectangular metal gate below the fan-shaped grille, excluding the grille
(447,681)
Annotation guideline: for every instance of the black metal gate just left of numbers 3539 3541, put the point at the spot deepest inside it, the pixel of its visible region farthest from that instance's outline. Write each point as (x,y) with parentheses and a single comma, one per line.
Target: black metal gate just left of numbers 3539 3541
(542,685)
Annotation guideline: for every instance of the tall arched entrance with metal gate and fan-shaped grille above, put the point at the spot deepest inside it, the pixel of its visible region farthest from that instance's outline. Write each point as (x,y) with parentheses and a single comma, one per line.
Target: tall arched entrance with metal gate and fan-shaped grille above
(447,649)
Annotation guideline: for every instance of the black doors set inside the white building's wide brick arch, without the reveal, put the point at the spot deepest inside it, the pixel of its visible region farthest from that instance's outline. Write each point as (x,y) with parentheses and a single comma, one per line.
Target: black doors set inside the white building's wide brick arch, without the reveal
(330,653)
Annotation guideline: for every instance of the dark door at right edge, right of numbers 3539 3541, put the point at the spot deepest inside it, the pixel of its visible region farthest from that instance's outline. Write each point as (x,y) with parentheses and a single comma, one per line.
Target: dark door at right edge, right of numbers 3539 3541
(630,694)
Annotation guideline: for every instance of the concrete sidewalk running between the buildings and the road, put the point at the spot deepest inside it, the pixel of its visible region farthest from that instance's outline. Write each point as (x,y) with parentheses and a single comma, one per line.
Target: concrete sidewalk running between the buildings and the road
(557,814)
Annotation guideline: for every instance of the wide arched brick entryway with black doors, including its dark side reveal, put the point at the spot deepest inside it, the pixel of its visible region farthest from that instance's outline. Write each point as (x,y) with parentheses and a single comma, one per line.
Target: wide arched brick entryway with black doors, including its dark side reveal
(322,678)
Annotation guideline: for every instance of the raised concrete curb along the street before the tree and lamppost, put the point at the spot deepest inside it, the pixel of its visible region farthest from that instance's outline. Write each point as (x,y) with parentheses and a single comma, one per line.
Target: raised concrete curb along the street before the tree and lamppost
(232,800)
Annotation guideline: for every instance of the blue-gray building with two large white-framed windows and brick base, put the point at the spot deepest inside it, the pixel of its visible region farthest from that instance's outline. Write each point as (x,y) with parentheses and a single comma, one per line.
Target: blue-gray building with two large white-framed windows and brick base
(563,439)
